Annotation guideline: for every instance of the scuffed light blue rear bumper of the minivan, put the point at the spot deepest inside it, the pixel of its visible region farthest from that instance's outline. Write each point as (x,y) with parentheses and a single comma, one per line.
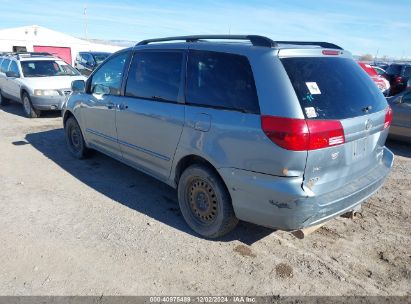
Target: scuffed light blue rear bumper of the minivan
(282,203)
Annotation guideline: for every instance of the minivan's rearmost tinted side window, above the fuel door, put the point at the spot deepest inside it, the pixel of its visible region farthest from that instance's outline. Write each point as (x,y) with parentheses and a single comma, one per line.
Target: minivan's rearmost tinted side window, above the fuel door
(221,80)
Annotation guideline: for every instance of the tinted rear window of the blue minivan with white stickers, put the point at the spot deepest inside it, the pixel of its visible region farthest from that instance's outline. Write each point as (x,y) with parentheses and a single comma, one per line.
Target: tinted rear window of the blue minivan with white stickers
(333,88)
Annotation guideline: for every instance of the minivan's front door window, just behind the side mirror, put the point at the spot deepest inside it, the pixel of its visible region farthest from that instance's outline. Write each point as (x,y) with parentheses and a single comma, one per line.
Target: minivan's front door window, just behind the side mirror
(107,80)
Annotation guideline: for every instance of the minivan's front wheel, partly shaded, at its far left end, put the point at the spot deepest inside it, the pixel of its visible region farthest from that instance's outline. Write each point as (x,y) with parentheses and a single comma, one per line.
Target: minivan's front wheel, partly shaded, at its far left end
(74,139)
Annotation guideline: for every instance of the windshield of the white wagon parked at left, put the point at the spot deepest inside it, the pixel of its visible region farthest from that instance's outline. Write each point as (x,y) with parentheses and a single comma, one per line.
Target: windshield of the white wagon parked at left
(47,68)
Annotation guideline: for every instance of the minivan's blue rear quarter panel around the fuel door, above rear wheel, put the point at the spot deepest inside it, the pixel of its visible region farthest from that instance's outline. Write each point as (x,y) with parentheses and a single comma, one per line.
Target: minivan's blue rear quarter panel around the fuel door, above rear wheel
(235,140)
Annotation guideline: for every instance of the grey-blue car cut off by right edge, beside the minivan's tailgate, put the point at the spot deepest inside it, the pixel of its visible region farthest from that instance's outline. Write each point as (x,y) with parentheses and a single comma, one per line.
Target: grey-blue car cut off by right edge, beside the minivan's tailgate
(401,123)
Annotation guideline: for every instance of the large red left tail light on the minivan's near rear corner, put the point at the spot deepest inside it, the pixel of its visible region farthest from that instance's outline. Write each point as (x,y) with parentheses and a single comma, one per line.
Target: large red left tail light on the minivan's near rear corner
(300,134)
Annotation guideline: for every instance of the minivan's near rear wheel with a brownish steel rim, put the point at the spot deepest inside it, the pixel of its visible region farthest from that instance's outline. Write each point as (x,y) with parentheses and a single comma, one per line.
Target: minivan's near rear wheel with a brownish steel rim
(205,202)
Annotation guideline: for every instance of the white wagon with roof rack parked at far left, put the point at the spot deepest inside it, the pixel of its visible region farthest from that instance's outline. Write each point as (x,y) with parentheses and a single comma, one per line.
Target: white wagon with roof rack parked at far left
(38,81)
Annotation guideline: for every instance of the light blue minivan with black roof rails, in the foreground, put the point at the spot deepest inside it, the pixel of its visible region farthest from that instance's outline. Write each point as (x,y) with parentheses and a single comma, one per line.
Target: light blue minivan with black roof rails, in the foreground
(260,131)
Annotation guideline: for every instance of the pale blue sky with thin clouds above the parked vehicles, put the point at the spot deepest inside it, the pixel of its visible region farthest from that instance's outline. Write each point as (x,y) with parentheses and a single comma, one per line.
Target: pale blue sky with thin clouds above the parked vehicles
(359,26)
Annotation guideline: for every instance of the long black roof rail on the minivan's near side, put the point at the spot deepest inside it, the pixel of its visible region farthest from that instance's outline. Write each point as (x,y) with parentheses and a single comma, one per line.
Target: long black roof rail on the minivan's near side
(254,39)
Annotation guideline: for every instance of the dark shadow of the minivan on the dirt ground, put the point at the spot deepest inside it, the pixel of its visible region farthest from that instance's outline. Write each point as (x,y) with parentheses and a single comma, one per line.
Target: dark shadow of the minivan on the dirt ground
(129,187)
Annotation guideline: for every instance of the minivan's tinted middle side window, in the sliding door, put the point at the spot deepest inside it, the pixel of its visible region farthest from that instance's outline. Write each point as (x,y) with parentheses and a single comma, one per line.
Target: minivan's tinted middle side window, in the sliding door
(155,75)
